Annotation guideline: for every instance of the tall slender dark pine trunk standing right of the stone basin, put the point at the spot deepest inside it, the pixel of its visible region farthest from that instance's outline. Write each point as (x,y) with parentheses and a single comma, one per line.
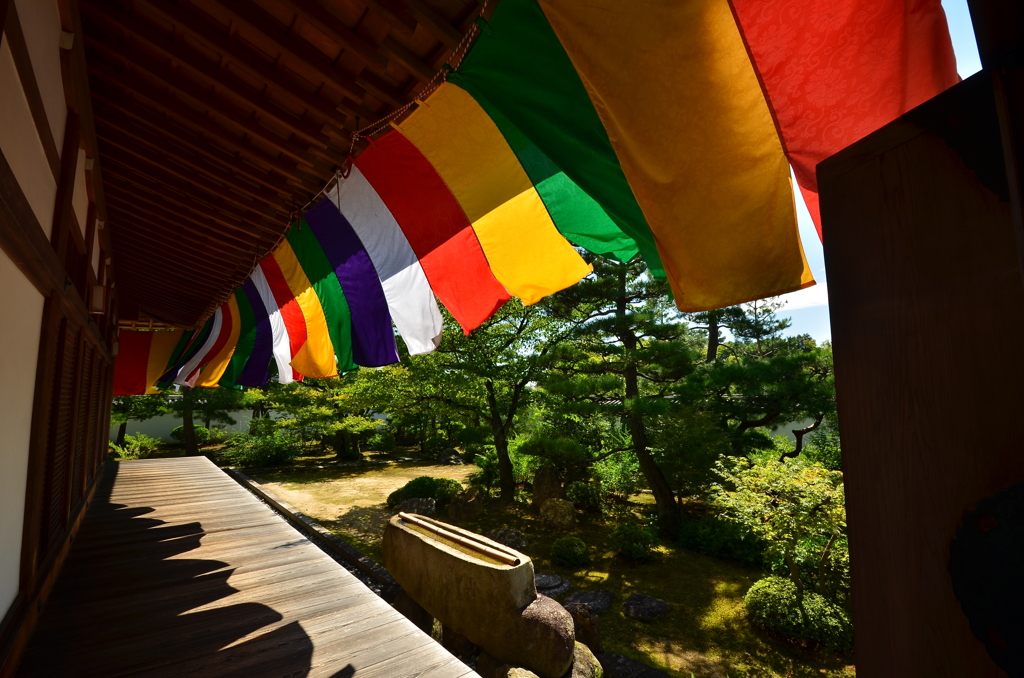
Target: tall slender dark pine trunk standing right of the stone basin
(669,516)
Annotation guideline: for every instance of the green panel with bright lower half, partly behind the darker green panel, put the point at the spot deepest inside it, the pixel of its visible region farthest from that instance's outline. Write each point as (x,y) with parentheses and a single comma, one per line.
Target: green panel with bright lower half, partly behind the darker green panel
(577,216)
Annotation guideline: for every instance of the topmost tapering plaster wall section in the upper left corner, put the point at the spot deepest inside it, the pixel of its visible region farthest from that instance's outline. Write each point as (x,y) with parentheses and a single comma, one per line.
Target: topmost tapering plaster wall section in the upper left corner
(41,25)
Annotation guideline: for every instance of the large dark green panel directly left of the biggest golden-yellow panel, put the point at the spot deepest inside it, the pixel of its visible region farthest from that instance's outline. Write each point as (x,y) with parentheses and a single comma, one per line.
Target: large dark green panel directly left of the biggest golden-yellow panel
(519,67)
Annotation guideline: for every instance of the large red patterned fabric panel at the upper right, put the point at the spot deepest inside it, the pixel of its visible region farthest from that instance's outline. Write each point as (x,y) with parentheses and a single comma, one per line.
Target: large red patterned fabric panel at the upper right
(836,71)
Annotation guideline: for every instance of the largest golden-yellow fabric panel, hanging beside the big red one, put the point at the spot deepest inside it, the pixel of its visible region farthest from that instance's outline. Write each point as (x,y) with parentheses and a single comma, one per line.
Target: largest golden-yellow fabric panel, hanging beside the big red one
(685,111)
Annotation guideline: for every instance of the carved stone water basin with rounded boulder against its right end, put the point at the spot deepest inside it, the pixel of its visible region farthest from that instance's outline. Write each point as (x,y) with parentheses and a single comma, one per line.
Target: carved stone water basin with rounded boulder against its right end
(493,605)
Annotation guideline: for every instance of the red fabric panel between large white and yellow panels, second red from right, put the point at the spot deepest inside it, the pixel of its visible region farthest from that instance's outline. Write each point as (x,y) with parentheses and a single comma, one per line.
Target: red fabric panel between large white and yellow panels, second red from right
(437,228)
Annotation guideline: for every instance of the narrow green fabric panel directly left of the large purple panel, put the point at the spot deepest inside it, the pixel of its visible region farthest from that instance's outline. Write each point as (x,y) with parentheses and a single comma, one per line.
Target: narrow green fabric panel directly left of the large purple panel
(320,272)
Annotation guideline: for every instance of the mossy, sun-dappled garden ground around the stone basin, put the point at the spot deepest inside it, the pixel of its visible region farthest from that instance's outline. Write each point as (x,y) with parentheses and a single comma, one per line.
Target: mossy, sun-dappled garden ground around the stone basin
(706,633)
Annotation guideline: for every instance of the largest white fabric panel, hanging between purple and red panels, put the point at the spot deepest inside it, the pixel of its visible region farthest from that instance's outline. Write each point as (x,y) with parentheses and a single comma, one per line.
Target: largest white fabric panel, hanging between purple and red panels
(410,299)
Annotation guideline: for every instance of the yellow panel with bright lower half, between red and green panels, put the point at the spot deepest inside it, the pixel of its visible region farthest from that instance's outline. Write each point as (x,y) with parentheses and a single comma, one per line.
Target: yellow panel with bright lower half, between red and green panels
(525,250)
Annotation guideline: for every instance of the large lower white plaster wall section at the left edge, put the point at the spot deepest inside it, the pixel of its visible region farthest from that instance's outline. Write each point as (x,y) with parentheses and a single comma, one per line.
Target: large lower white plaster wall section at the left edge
(22,314)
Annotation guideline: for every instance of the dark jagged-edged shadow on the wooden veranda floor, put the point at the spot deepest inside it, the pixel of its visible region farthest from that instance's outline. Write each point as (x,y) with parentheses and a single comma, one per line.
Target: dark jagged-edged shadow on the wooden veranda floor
(122,607)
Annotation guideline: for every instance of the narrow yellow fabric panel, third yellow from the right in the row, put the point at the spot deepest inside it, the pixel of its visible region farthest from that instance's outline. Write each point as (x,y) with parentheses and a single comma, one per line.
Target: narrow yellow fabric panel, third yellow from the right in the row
(316,359)
